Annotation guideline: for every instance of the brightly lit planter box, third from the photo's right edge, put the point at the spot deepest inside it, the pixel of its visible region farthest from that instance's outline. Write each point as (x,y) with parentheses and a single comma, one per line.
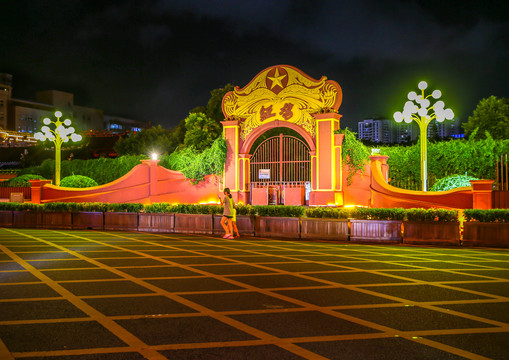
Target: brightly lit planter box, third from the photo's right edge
(385,231)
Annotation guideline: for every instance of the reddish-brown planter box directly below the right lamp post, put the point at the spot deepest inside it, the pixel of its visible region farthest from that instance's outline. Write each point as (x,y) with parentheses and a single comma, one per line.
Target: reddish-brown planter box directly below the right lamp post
(431,233)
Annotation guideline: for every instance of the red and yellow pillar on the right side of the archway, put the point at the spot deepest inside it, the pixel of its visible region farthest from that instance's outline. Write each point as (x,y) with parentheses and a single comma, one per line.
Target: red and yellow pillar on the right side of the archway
(326,183)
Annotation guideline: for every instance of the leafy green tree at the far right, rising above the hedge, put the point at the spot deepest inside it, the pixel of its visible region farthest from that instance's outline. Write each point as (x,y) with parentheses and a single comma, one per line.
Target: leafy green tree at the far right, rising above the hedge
(492,115)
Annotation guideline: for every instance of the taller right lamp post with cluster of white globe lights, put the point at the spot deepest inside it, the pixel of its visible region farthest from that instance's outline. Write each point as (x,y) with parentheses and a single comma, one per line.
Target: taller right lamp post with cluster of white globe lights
(423,115)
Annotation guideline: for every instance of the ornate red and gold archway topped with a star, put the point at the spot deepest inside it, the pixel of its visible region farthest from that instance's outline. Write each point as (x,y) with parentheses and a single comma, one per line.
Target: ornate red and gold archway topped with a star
(283,96)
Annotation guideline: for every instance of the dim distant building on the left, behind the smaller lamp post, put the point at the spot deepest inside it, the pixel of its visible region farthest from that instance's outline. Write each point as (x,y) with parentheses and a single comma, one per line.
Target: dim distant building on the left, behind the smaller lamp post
(25,116)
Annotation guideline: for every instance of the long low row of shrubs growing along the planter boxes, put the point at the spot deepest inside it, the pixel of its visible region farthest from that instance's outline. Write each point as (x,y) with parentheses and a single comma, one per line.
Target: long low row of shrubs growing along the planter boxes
(493,215)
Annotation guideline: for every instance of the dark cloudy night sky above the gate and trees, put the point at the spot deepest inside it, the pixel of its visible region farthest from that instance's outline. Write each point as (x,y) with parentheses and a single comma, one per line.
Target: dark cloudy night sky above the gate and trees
(155,60)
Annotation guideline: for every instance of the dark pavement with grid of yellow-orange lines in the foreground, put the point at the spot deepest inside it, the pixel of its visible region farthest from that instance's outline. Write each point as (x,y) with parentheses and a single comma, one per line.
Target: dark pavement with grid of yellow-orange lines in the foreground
(112,295)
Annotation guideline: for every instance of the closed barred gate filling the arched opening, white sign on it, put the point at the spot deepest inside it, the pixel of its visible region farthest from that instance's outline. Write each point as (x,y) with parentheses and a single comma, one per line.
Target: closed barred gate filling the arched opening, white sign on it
(280,170)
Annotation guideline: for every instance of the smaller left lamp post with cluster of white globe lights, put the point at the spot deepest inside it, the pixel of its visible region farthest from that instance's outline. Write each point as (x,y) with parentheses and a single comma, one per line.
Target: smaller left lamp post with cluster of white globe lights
(60,134)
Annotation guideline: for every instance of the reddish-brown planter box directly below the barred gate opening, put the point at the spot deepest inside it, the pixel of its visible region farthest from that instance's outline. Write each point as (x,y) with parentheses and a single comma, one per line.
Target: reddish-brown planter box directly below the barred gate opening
(279,227)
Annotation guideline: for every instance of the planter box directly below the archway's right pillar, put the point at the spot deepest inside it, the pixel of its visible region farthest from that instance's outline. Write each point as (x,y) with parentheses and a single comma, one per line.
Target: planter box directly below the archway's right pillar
(325,229)
